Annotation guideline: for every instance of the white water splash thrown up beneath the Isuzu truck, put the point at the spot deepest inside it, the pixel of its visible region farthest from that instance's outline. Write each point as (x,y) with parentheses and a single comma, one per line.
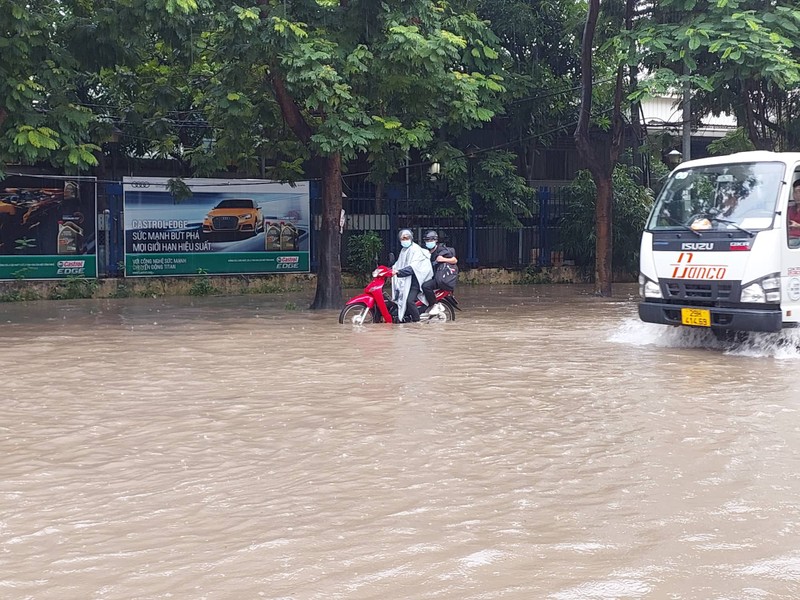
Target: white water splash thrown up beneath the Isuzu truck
(781,345)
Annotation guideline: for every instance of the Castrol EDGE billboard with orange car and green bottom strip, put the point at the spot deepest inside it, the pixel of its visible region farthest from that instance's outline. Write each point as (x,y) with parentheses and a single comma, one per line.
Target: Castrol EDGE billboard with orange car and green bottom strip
(236,226)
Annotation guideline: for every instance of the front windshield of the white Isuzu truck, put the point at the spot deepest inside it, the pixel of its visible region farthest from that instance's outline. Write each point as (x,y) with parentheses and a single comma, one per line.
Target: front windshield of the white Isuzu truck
(721,197)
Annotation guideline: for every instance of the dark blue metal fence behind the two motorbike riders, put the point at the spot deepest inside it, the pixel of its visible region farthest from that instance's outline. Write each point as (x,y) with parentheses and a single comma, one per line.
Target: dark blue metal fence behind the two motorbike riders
(477,243)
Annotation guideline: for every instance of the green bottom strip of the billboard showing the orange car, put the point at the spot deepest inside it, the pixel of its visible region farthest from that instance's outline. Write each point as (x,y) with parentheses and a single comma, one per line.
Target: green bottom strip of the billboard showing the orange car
(218,263)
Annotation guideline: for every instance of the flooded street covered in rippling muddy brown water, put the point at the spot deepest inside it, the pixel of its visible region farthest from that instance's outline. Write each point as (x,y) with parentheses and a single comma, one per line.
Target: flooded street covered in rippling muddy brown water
(545,445)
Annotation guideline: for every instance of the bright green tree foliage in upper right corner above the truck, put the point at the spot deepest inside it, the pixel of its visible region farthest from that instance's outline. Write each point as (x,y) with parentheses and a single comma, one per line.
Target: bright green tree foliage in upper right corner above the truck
(736,56)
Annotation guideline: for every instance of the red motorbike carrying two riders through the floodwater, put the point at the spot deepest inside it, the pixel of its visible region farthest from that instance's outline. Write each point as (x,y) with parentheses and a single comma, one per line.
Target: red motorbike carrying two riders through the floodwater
(375,306)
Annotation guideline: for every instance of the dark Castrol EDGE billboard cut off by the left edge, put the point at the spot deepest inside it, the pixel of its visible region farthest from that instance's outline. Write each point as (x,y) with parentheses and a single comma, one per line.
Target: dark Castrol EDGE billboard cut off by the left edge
(48,227)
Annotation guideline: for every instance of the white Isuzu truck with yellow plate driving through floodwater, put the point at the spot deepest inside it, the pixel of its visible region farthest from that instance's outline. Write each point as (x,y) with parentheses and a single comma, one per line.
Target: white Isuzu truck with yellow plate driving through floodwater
(719,250)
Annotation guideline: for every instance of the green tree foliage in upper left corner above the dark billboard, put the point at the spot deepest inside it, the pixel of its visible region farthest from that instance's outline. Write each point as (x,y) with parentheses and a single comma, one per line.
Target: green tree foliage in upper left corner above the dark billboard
(59,60)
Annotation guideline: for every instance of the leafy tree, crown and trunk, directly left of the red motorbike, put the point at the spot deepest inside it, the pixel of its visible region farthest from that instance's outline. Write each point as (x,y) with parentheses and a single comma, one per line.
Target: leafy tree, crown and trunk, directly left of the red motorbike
(348,77)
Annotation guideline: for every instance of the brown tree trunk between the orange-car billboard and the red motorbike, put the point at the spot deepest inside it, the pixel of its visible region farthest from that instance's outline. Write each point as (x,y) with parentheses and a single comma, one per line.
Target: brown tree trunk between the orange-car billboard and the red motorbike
(329,272)
